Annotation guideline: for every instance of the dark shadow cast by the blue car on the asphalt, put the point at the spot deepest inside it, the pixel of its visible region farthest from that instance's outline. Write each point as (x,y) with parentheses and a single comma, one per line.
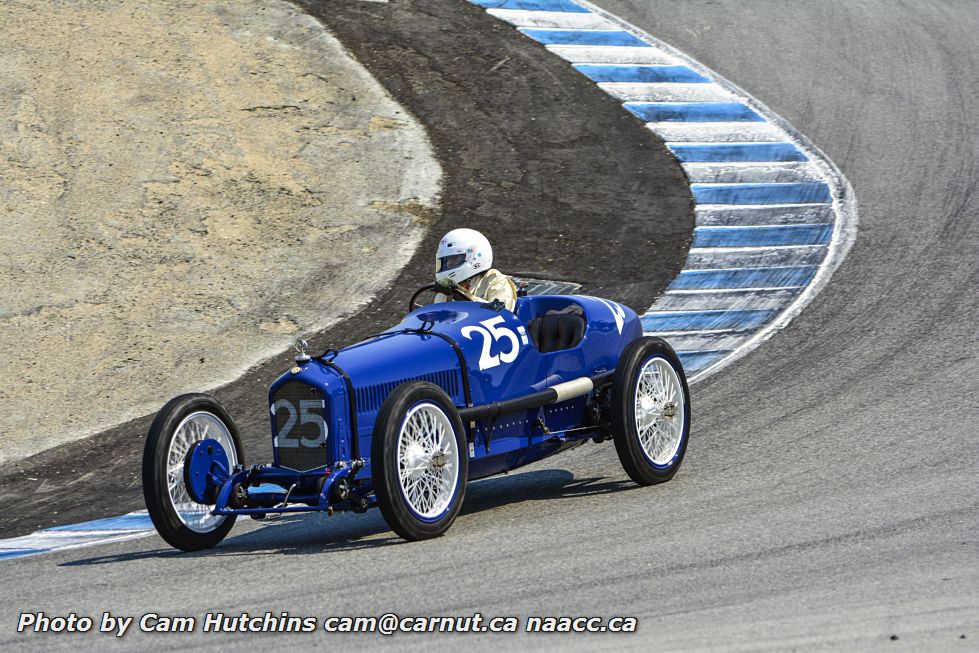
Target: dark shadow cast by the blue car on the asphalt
(310,534)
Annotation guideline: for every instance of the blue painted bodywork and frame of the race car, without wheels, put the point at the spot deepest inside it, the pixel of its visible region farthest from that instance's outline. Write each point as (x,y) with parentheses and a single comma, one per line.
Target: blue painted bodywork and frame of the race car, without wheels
(459,337)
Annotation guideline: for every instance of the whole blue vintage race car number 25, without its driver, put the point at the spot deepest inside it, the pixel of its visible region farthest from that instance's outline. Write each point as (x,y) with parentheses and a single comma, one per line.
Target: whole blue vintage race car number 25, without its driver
(457,391)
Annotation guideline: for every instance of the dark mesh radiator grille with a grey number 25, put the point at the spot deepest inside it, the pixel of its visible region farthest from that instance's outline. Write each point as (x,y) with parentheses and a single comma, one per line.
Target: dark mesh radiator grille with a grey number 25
(300,426)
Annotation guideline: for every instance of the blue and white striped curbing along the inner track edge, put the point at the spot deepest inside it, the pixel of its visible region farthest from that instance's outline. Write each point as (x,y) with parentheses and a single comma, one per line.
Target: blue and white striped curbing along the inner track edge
(774,216)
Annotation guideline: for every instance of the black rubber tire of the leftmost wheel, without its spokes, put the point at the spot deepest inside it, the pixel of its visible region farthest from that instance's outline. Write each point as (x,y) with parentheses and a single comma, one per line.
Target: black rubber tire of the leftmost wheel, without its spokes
(155,485)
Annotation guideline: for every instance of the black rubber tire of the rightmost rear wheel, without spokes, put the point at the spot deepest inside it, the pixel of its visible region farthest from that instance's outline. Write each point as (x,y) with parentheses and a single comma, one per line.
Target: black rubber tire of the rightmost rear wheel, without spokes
(624,432)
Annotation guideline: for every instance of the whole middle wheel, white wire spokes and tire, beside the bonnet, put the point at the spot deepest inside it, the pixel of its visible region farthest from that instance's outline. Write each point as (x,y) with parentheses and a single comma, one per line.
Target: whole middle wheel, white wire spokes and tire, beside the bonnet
(418,460)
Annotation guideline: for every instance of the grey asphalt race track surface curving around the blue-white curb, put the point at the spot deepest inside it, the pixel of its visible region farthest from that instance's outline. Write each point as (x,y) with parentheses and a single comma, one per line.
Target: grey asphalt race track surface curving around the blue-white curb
(828,497)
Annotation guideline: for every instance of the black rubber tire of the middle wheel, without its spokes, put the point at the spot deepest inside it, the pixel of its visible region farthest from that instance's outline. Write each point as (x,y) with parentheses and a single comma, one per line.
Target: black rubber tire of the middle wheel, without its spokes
(384,460)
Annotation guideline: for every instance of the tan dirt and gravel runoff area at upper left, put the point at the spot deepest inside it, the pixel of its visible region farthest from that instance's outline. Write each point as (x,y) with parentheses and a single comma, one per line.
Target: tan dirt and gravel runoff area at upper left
(184,187)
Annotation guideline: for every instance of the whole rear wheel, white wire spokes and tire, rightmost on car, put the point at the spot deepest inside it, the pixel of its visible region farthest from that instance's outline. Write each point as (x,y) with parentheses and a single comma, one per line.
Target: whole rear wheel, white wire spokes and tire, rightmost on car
(650,411)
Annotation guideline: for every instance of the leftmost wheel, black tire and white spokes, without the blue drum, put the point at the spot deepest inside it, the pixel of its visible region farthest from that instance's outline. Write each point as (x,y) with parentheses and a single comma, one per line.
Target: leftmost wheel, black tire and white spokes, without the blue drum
(183,421)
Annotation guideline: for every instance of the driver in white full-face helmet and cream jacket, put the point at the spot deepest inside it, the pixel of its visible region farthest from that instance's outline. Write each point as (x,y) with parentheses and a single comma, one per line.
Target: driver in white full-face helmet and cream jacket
(463,264)
